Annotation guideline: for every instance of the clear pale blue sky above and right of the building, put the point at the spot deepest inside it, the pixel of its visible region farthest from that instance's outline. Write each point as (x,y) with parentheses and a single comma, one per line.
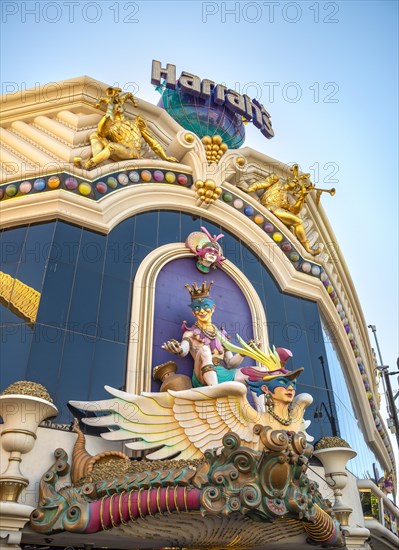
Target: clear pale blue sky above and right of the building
(331,65)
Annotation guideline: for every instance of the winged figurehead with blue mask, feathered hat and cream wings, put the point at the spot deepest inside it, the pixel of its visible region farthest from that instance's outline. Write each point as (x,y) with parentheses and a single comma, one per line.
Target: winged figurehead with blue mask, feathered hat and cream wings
(184,424)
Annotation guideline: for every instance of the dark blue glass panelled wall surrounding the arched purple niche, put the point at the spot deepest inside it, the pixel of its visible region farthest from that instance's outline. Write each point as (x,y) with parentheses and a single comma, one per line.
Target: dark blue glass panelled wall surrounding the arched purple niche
(80,340)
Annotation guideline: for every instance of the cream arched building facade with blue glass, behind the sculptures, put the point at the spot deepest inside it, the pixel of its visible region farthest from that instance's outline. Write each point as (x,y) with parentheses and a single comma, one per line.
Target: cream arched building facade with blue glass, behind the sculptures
(94,263)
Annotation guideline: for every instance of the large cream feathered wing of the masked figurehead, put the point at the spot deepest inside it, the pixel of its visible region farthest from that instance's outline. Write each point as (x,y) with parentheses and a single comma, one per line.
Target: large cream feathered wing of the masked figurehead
(186,422)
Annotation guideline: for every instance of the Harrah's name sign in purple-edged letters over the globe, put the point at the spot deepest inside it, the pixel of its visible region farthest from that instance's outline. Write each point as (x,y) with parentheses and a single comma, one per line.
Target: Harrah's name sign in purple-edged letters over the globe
(191,84)
